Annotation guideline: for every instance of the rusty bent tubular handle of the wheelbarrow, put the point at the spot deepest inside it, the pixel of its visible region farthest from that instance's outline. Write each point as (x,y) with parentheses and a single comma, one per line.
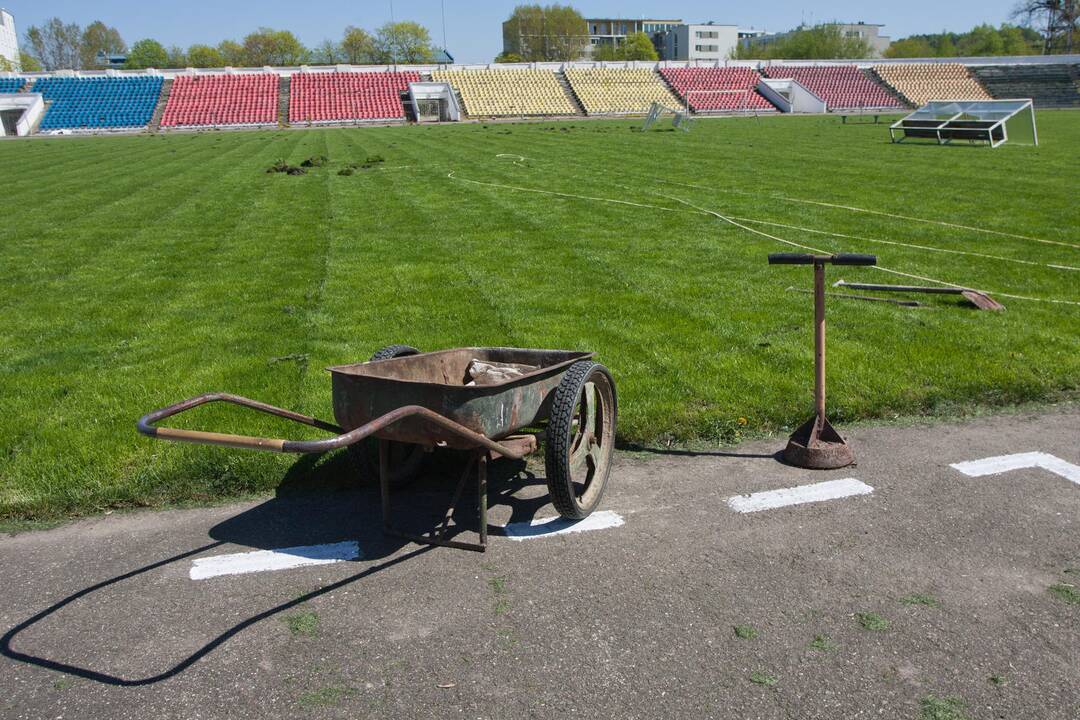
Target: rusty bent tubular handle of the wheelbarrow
(147,426)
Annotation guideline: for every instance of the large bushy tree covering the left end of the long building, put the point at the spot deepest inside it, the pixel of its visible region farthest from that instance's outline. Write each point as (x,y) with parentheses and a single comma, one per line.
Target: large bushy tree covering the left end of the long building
(546,33)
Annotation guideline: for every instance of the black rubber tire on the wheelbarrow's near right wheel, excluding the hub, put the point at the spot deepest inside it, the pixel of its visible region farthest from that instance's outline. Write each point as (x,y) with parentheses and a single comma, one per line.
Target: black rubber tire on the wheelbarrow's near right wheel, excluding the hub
(561,438)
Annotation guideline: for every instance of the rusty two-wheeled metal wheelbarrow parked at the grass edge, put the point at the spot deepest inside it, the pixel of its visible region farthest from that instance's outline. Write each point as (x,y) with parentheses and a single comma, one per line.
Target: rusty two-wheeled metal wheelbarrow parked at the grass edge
(409,403)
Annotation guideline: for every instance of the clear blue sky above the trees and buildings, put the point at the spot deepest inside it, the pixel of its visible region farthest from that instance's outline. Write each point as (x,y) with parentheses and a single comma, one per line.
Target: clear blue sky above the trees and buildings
(474,29)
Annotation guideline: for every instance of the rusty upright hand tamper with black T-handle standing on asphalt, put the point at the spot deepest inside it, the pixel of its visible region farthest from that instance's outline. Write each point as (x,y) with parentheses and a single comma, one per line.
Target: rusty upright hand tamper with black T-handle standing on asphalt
(816,444)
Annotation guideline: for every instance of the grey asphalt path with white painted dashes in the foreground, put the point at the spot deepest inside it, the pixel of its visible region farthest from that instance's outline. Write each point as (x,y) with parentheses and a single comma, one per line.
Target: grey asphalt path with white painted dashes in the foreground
(911,588)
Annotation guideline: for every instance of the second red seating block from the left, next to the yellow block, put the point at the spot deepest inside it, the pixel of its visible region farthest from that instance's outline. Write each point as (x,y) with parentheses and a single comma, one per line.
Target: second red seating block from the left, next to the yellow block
(345,97)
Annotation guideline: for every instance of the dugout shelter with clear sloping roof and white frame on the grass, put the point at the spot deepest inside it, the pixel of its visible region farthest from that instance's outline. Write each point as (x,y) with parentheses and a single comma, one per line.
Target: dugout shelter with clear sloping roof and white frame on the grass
(994,123)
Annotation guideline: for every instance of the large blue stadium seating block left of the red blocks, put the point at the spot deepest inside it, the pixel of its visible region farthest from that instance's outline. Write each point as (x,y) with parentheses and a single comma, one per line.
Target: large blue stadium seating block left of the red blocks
(99,103)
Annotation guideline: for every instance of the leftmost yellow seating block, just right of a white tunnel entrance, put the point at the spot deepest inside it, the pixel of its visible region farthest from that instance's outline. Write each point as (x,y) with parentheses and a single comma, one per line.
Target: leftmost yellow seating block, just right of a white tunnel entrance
(509,92)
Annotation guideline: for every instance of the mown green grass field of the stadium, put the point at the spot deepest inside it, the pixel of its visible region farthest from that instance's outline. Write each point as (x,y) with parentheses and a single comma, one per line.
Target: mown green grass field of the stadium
(137,271)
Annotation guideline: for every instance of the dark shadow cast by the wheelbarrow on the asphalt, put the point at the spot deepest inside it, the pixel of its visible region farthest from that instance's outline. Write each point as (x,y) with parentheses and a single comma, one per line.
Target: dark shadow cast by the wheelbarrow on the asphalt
(318,502)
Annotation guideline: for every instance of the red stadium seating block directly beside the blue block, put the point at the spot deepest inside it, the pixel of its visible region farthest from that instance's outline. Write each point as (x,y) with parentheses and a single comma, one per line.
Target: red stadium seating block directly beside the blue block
(223,100)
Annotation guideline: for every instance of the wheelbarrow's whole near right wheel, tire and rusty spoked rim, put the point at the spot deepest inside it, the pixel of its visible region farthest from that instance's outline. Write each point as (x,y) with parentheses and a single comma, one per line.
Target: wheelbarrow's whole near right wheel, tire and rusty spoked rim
(580,439)
